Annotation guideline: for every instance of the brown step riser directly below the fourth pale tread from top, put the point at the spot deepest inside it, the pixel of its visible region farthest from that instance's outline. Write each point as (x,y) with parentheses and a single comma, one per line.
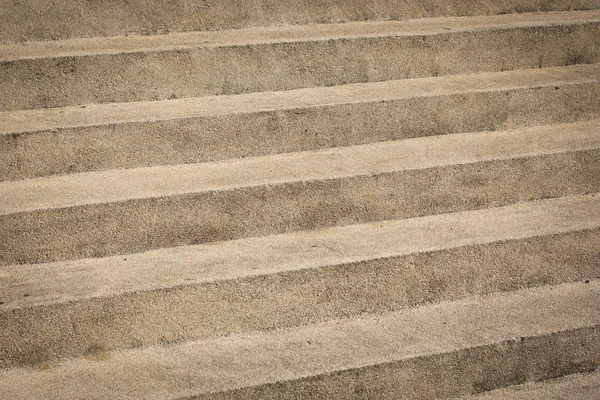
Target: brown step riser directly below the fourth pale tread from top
(47,332)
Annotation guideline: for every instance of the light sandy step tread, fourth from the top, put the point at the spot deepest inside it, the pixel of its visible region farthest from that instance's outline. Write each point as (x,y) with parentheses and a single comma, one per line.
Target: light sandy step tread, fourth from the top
(237,259)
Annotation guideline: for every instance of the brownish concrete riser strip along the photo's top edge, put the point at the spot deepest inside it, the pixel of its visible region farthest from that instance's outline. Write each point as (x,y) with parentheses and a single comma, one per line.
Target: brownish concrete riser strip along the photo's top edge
(40,20)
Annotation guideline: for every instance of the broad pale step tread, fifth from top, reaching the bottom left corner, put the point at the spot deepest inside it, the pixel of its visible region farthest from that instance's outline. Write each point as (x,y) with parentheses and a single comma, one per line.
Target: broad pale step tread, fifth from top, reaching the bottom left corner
(260,358)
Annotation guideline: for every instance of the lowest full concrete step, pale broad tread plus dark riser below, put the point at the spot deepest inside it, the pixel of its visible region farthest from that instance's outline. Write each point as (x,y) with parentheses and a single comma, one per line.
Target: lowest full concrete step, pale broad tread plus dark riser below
(436,351)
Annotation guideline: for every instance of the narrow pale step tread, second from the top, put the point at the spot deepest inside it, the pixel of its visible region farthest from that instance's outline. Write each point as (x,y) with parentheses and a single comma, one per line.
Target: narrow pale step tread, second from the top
(116,113)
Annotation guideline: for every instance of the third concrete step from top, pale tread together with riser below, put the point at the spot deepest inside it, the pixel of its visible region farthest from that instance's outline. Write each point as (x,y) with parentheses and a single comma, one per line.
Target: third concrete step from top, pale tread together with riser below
(125,211)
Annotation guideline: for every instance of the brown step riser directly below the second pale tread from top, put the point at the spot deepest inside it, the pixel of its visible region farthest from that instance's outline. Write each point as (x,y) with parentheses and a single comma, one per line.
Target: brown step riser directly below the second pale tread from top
(192,140)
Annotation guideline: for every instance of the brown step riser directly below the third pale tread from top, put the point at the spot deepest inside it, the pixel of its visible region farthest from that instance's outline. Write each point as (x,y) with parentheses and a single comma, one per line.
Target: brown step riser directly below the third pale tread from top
(138,225)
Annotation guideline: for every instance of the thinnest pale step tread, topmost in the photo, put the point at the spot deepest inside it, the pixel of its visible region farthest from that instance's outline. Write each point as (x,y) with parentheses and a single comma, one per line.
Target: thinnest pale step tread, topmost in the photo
(286,34)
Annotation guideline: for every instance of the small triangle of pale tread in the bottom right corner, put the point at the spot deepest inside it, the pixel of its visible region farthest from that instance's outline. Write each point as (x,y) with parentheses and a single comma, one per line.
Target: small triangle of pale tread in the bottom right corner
(583,386)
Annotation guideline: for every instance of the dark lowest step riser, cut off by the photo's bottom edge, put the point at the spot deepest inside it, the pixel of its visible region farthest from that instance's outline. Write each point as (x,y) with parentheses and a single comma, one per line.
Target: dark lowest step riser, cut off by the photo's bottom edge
(459,373)
